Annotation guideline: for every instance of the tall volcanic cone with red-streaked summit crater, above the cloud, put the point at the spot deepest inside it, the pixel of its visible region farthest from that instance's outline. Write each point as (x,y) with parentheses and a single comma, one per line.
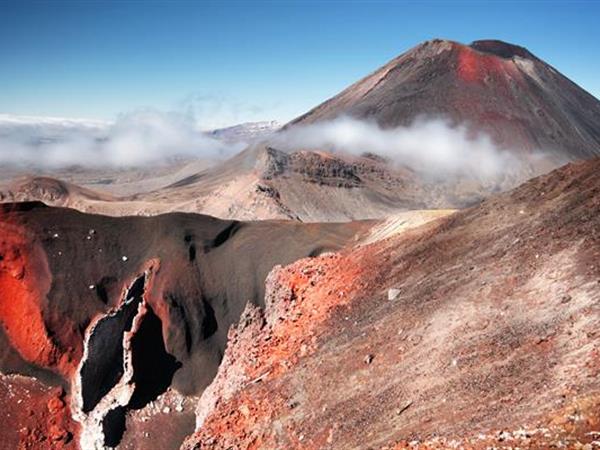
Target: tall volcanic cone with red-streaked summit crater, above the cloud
(499,88)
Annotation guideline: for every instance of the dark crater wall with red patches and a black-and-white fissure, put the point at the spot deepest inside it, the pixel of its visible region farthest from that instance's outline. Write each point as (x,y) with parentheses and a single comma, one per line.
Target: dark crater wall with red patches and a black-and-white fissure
(122,321)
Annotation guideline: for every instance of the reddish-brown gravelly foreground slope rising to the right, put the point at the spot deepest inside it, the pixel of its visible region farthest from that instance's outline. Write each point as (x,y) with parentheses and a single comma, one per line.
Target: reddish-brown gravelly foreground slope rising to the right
(478,330)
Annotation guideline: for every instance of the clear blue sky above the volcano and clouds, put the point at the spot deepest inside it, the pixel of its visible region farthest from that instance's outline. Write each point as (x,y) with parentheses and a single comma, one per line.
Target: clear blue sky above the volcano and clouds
(245,61)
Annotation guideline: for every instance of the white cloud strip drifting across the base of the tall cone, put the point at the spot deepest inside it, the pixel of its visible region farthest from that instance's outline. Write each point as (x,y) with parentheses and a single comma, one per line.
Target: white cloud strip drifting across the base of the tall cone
(430,146)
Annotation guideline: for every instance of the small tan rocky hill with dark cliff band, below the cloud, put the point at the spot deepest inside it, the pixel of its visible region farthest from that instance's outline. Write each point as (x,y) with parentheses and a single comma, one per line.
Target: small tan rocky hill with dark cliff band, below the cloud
(311,186)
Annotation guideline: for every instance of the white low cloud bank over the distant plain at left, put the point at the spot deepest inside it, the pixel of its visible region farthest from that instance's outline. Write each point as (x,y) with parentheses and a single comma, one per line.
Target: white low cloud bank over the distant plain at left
(134,139)
